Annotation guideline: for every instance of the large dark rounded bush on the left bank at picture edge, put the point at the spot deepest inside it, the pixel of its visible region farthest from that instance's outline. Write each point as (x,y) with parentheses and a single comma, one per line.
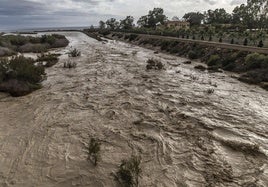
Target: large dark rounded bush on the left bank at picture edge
(19,76)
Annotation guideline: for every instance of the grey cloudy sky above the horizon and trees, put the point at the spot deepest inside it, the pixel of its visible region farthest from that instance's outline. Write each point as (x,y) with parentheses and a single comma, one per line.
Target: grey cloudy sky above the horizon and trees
(15,14)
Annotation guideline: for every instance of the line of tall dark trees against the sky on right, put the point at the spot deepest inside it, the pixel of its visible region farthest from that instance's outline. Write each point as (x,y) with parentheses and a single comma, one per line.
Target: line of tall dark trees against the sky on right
(252,15)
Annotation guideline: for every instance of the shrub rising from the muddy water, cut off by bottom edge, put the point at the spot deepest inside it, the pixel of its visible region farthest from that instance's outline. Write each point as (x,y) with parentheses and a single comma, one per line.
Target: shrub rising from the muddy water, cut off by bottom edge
(129,172)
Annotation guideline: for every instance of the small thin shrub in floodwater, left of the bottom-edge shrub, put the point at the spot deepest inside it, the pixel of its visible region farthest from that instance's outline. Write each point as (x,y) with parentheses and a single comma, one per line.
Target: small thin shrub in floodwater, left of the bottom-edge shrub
(94,151)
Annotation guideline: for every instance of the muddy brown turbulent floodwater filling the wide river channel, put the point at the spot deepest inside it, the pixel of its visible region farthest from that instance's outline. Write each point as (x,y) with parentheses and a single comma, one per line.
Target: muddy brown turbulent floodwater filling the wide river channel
(185,136)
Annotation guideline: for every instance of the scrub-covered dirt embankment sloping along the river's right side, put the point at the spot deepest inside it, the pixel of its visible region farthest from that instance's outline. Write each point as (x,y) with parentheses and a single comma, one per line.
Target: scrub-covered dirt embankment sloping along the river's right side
(217,57)
